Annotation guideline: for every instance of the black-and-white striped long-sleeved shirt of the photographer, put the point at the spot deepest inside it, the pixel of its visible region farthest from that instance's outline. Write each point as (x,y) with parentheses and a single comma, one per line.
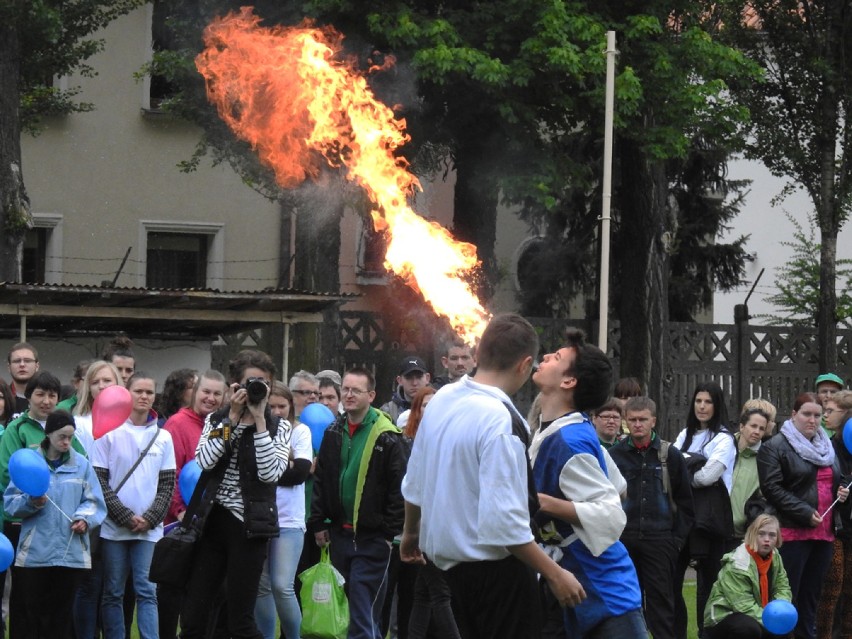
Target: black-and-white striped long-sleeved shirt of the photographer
(271,455)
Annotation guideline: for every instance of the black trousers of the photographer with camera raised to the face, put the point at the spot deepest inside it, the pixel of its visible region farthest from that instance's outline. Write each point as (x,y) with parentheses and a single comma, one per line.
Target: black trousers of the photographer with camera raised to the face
(224,554)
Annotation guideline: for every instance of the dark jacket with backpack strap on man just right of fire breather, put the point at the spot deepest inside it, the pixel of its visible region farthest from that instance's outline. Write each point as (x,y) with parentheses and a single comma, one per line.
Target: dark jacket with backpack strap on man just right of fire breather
(649,513)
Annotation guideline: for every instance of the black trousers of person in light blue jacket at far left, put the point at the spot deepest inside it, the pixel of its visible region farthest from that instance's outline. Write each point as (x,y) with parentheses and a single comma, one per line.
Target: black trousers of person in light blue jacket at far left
(49,596)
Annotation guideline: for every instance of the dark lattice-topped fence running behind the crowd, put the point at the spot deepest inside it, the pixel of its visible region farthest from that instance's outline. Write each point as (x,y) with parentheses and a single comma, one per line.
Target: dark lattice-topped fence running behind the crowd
(775,363)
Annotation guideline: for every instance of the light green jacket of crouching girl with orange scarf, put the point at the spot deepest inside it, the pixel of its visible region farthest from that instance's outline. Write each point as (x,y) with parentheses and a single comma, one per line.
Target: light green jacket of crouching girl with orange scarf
(737,589)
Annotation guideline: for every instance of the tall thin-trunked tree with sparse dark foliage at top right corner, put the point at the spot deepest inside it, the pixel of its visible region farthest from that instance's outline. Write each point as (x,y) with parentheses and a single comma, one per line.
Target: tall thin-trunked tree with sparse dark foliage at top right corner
(800,126)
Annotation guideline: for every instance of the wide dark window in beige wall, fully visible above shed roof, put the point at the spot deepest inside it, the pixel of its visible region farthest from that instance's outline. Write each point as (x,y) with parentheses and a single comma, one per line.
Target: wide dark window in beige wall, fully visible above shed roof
(176,260)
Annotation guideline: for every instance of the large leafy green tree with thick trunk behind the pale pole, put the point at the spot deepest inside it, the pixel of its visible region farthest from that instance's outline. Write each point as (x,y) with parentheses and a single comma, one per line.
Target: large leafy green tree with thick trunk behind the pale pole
(515,90)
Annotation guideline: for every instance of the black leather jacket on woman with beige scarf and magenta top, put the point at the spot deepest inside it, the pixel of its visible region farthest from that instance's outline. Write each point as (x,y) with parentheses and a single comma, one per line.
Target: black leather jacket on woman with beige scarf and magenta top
(788,482)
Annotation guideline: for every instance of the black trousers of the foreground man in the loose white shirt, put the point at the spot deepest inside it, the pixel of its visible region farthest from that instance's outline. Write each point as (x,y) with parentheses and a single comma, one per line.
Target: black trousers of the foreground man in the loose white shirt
(495,599)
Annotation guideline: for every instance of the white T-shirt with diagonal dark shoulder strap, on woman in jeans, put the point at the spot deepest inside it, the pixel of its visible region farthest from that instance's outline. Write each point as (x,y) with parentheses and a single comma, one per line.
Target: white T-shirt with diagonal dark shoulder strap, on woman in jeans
(117,451)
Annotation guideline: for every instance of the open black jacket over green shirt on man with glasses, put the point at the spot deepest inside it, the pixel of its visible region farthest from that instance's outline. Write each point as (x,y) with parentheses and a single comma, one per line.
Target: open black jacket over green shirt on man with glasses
(381,509)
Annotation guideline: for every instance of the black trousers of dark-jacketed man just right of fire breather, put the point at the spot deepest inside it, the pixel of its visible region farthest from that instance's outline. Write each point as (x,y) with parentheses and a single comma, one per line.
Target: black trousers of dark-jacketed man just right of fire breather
(656,563)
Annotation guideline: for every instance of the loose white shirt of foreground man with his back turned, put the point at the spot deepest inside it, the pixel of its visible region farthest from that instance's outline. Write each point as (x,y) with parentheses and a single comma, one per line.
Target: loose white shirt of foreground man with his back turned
(468,474)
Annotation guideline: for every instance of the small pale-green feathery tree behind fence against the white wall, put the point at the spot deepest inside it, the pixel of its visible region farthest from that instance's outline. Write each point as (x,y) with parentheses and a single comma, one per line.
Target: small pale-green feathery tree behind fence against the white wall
(798,284)
